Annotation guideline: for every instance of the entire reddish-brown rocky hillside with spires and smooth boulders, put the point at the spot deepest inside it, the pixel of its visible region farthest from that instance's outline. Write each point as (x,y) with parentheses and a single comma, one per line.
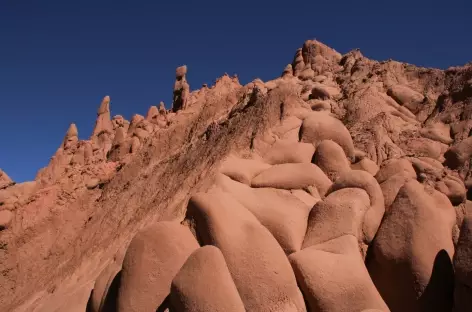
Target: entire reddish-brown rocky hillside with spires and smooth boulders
(340,186)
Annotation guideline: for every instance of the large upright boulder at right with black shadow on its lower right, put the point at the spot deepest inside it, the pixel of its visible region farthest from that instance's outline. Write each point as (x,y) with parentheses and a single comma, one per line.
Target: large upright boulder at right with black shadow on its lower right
(410,258)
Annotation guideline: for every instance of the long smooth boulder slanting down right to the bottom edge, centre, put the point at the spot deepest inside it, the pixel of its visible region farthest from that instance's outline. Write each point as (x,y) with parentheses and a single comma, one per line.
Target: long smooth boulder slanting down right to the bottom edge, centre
(259,267)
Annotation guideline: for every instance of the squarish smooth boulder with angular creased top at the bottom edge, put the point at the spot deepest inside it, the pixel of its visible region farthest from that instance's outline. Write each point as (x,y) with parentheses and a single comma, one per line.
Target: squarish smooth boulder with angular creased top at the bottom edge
(333,277)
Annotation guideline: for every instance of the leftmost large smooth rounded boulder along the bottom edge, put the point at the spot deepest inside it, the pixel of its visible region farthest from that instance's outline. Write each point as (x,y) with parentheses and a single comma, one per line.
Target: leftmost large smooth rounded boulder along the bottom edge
(154,257)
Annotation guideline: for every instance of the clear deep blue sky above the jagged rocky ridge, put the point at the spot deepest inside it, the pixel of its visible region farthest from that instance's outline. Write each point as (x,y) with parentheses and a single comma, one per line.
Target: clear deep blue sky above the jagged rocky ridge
(59,58)
